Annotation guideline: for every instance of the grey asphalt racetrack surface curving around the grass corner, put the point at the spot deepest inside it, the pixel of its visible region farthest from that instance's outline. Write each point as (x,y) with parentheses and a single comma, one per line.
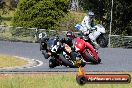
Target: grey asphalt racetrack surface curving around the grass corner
(113,59)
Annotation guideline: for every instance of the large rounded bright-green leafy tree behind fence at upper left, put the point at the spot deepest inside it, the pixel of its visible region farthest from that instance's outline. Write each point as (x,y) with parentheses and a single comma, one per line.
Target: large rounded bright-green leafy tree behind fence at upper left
(40,13)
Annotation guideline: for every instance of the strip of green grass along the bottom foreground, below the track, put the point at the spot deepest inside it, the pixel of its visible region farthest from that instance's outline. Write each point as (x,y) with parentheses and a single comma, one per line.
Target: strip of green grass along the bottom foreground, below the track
(49,80)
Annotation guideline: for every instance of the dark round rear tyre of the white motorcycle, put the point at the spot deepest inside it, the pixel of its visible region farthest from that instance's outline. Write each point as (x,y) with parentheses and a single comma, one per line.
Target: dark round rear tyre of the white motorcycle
(102,41)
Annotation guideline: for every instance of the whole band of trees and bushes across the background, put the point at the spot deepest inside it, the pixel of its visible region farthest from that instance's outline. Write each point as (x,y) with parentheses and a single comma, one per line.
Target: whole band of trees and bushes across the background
(49,14)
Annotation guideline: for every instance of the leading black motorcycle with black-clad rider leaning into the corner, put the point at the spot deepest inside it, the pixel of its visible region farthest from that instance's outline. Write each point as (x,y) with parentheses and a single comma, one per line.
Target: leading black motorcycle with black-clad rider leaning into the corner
(59,54)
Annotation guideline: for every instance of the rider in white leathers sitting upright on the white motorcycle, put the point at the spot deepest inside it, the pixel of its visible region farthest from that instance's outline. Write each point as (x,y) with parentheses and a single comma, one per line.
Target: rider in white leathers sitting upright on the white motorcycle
(87,25)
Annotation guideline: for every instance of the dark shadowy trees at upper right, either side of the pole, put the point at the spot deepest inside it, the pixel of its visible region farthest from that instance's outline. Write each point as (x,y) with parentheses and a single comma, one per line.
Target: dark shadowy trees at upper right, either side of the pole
(122,11)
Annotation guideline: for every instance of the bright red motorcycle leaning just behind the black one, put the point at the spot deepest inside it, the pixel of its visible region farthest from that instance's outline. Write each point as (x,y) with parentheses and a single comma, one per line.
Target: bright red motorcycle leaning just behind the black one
(86,50)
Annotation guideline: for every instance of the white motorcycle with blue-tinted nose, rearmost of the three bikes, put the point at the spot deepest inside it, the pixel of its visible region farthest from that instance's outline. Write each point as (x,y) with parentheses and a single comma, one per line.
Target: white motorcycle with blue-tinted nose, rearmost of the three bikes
(97,35)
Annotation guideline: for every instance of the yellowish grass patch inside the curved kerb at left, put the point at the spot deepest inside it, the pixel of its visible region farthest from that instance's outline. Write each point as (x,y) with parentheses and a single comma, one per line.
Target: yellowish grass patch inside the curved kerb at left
(11,61)
